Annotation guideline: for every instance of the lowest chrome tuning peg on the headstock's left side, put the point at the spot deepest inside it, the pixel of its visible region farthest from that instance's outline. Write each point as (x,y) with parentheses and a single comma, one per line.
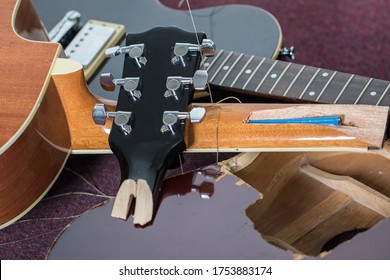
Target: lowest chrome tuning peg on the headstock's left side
(121,118)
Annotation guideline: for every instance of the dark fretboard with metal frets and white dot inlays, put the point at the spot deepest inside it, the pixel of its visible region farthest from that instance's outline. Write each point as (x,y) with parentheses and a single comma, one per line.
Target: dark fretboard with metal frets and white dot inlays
(263,76)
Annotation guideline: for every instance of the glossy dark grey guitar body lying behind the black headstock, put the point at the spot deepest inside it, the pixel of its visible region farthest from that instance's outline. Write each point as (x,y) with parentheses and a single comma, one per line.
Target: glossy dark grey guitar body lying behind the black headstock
(254,26)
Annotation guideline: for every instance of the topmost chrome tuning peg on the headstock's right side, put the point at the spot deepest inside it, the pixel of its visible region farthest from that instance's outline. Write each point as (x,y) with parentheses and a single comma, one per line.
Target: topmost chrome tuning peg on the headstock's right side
(182,50)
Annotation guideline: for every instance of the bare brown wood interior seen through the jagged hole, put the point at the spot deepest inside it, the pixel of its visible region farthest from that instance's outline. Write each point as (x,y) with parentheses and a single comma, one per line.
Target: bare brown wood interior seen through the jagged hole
(311,200)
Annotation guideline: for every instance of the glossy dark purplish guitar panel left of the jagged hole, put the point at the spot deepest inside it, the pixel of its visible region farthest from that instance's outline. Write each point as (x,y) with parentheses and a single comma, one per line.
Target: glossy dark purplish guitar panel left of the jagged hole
(185,226)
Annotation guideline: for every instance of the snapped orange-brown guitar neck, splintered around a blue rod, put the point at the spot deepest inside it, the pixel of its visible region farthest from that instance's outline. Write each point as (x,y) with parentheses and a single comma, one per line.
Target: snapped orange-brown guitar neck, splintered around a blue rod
(223,128)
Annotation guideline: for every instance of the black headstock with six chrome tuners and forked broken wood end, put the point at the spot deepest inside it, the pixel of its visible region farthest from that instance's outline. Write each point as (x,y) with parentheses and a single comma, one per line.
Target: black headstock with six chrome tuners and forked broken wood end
(159,78)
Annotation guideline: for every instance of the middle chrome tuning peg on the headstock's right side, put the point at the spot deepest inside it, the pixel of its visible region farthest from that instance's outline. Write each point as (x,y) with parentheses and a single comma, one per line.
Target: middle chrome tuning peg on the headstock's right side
(175,84)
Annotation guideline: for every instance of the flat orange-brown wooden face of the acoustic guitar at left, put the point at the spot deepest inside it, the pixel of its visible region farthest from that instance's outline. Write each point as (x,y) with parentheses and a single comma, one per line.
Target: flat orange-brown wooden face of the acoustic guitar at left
(25,74)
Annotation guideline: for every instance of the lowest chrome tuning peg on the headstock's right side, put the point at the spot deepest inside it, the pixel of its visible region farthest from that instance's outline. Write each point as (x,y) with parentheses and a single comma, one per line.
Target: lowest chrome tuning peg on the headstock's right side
(170,118)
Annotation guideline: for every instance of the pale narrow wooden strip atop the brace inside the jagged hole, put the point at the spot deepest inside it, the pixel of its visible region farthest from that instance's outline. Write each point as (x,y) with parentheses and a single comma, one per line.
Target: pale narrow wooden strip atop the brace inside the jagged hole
(356,190)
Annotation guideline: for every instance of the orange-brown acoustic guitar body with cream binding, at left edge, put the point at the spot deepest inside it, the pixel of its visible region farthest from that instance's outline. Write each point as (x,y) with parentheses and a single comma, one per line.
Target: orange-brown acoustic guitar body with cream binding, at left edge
(34,139)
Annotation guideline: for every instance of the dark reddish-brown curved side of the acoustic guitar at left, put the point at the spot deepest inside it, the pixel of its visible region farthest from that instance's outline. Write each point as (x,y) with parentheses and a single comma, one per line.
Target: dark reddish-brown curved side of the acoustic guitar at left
(31,165)
